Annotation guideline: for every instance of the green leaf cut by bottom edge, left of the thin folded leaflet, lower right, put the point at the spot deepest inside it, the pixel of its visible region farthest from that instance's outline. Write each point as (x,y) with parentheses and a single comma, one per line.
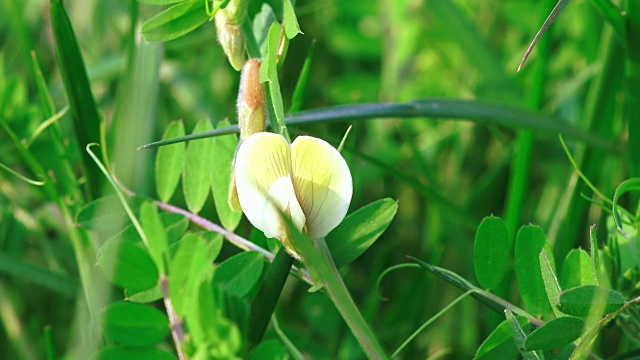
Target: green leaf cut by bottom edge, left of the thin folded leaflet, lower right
(500,343)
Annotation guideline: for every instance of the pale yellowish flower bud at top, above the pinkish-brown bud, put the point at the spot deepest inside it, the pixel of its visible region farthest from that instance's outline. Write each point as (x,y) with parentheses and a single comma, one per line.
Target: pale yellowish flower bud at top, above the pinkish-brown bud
(230,37)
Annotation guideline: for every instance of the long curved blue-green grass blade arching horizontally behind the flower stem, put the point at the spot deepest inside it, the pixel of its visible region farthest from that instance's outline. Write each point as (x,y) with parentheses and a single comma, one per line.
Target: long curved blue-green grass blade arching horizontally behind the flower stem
(451,109)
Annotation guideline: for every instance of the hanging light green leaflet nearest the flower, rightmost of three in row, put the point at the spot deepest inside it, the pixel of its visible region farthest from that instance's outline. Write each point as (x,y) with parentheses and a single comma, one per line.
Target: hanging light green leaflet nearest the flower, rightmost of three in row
(224,150)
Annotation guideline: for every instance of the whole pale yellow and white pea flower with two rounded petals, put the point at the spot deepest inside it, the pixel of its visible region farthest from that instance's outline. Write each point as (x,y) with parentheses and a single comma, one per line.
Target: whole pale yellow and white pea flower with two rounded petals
(308,180)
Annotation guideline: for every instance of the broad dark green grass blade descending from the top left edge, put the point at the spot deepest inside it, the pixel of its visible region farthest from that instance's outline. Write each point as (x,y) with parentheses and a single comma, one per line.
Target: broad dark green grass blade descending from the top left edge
(84,113)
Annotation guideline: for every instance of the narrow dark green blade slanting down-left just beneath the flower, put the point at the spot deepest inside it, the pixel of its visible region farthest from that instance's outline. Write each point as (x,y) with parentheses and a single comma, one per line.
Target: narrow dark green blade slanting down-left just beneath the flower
(267,297)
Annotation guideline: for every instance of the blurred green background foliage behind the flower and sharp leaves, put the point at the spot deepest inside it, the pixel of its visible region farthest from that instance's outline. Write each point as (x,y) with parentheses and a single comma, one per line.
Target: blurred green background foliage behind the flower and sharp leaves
(385,51)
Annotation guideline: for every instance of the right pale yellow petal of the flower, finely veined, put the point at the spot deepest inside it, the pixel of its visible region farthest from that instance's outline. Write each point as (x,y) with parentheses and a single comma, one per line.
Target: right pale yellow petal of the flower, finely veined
(323,185)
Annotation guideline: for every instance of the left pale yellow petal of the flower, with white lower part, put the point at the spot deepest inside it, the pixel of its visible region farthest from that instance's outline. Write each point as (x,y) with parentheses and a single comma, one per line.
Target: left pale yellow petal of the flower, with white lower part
(263,181)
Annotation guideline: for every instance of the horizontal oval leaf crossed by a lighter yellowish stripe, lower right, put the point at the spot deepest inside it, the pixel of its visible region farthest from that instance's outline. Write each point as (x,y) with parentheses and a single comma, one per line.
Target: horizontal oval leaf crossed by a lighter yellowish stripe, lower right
(590,300)
